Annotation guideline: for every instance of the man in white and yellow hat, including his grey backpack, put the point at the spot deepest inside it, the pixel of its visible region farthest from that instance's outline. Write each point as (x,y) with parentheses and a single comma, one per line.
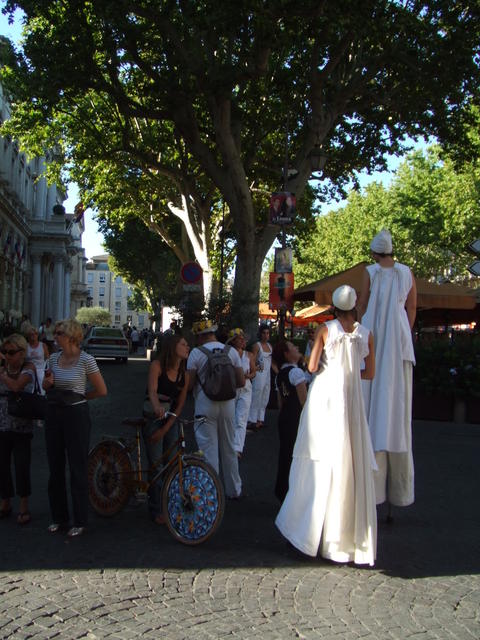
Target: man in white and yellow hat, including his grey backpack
(215,373)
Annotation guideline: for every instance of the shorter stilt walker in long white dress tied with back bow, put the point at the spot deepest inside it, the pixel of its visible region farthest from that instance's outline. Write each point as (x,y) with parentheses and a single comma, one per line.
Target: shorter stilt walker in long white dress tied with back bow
(330,504)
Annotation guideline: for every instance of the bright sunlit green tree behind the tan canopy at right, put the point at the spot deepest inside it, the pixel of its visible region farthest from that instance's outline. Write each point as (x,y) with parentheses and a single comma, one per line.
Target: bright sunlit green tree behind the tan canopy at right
(431,208)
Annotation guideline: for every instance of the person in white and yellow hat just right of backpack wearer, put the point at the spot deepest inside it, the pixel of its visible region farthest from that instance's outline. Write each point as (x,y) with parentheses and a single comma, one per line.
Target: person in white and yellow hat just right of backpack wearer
(238,340)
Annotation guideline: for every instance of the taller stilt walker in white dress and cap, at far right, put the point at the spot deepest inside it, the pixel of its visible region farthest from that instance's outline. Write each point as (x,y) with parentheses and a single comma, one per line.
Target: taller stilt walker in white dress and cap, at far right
(387,307)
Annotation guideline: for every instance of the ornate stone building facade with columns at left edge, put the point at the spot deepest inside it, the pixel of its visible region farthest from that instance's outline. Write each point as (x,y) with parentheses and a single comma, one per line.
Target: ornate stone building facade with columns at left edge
(42,262)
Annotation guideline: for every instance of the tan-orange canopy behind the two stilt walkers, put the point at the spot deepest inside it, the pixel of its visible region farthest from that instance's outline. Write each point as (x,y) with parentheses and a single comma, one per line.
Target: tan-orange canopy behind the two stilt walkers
(436,303)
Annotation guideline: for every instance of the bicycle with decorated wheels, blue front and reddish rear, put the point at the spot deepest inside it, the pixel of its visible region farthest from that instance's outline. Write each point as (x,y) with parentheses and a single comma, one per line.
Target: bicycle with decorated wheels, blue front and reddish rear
(193,498)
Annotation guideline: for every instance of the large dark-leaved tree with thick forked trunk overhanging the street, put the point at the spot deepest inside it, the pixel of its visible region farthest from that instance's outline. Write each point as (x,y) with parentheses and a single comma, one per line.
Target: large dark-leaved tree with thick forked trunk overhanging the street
(349,81)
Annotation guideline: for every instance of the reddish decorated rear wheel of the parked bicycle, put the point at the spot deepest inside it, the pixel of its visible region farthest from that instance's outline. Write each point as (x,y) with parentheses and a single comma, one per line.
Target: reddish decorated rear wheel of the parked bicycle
(110,474)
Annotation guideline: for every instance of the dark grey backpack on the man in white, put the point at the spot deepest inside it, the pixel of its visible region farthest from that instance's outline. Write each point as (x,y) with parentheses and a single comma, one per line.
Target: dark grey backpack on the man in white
(218,375)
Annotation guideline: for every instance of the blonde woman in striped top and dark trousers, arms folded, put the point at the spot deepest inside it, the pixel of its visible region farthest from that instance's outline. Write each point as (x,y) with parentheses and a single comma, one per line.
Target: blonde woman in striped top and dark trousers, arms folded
(67,426)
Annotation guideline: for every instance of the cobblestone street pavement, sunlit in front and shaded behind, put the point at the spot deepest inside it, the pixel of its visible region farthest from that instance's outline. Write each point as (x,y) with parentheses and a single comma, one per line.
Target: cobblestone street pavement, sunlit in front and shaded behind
(127,577)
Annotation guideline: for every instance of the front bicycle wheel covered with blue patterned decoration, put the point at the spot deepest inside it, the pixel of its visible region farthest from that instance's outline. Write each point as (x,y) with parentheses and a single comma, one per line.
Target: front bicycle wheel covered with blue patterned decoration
(195,516)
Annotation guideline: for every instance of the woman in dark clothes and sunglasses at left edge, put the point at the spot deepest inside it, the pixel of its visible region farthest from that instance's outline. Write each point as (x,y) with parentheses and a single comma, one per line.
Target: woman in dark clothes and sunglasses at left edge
(15,433)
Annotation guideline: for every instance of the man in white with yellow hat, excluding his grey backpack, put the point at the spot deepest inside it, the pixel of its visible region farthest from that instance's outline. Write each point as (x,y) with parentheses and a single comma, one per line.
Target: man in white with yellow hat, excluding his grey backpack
(216,436)
